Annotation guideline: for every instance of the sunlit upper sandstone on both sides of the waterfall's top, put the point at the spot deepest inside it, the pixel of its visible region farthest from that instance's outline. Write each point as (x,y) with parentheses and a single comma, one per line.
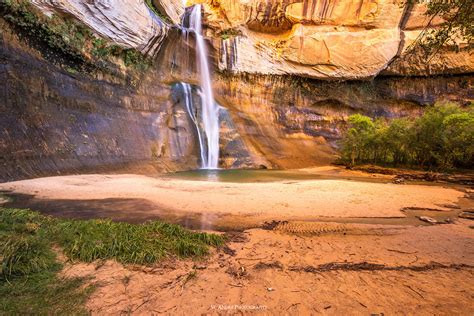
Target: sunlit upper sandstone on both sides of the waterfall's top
(325,39)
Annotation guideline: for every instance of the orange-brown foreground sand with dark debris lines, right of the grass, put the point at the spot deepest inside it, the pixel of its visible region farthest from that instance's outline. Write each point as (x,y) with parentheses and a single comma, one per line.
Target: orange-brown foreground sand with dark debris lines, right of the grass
(390,270)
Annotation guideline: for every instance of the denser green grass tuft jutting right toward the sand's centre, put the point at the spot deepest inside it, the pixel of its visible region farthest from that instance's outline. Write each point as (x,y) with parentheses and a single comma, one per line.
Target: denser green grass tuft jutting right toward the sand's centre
(129,243)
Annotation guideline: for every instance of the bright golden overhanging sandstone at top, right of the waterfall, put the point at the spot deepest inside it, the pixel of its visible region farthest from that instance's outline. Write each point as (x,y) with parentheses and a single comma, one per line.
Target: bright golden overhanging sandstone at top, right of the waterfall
(326,39)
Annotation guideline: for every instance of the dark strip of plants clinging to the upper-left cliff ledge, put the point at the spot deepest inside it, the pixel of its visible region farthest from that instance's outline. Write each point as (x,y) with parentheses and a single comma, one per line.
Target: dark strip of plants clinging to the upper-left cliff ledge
(70,38)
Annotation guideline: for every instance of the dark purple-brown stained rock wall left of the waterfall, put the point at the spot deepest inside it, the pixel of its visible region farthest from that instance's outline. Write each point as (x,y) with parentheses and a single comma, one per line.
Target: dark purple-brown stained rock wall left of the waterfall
(55,121)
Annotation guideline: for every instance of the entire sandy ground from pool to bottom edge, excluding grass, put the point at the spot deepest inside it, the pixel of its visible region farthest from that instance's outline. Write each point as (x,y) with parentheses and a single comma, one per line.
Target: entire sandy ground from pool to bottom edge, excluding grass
(304,257)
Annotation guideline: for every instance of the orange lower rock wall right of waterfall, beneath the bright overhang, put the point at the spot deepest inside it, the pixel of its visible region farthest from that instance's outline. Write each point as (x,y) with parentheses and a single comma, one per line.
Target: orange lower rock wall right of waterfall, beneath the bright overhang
(289,122)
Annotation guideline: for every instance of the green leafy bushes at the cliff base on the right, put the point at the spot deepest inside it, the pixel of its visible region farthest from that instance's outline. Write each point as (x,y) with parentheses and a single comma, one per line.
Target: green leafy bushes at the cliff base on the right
(442,138)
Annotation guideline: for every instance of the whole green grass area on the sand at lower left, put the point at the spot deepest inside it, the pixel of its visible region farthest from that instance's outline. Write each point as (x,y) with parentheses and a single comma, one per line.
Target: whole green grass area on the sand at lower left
(29,276)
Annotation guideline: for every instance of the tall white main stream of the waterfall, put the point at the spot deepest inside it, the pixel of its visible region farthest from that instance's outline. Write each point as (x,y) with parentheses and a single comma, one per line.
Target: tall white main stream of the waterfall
(210,110)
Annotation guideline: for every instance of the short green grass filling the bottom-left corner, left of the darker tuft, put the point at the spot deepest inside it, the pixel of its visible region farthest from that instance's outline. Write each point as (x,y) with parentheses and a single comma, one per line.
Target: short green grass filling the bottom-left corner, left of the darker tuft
(29,281)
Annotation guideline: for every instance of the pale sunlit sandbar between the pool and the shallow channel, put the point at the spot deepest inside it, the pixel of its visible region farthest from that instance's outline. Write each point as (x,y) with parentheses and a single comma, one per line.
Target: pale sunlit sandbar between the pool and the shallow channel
(281,200)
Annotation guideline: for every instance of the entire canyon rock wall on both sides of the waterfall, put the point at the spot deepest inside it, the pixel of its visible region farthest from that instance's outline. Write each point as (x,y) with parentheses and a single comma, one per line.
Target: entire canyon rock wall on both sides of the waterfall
(269,57)
